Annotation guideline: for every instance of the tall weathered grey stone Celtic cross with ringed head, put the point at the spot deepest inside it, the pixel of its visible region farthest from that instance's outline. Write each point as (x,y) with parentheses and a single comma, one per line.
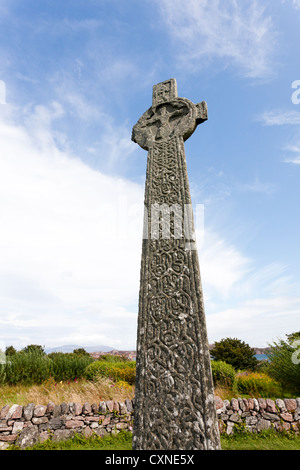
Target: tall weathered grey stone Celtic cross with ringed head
(174,395)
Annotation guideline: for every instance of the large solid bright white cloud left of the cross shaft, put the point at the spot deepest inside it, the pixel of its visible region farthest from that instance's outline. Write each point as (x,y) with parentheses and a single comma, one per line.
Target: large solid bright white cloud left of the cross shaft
(70,242)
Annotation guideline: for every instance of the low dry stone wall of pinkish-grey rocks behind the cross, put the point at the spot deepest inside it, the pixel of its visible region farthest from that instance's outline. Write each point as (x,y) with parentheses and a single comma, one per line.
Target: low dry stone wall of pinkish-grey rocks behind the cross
(30,424)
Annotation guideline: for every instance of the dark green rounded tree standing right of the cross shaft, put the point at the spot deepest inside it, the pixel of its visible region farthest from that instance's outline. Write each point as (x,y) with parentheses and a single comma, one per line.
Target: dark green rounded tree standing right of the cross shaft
(236,353)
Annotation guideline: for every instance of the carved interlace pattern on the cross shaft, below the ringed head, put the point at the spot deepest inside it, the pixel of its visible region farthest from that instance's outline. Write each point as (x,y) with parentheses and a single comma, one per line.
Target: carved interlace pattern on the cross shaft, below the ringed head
(174,391)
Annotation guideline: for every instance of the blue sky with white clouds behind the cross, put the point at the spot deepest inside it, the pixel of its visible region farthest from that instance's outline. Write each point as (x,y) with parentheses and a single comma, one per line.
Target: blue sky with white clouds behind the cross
(75,76)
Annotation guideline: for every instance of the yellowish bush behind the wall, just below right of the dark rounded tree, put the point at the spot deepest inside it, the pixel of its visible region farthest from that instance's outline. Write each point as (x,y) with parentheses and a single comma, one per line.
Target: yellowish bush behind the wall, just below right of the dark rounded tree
(258,384)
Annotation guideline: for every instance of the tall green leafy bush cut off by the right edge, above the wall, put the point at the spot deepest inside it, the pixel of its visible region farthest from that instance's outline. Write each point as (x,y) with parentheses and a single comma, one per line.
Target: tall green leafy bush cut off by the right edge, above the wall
(284,363)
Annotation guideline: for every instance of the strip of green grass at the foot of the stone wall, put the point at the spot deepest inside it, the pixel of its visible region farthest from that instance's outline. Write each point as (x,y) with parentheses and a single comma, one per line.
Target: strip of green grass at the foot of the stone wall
(266,440)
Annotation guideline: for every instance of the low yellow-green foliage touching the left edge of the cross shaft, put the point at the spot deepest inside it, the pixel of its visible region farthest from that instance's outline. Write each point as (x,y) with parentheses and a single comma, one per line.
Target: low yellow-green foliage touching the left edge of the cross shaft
(124,371)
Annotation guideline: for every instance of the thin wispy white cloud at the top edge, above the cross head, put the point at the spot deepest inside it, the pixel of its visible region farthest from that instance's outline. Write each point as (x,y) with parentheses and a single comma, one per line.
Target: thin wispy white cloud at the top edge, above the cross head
(239,32)
